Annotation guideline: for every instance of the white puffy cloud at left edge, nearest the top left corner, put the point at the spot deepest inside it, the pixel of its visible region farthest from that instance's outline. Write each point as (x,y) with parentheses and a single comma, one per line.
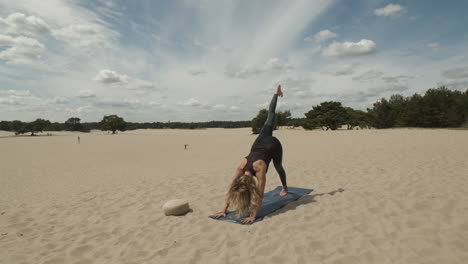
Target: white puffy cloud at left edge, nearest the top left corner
(20,24)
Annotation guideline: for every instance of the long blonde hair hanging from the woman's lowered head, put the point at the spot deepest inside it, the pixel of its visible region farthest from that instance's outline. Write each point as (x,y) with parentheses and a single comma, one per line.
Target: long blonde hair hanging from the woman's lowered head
(243,195)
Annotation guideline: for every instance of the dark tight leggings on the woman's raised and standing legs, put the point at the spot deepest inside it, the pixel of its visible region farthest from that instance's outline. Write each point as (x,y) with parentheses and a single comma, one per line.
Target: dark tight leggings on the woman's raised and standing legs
(266,136)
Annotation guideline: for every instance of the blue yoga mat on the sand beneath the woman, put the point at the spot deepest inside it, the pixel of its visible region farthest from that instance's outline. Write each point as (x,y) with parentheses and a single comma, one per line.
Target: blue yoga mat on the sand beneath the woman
(272,201)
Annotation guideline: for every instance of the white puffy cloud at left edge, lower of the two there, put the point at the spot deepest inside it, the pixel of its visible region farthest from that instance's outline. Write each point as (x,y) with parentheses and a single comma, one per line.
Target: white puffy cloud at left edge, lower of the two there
(21,51)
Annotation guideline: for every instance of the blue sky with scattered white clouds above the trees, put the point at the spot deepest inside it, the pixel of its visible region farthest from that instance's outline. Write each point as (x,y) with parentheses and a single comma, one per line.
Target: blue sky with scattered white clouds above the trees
(200,60)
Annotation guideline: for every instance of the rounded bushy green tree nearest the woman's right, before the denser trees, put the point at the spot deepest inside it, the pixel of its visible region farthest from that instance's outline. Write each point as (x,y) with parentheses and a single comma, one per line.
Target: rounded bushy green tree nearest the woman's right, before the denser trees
(328,114)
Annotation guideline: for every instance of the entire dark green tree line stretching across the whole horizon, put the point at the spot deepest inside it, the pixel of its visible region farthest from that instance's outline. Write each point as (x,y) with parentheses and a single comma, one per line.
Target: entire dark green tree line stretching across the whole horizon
(437,108)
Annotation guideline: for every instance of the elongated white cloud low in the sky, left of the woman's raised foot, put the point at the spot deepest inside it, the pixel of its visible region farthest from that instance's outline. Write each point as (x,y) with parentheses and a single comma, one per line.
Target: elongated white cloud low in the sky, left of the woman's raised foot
(109,77)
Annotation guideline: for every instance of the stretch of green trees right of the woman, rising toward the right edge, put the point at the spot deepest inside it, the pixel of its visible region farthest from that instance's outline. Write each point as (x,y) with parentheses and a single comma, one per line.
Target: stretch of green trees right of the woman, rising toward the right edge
(437,108)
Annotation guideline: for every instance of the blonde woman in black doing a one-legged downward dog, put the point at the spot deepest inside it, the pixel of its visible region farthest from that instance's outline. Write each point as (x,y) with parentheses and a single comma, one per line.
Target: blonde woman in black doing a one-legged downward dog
(244,194)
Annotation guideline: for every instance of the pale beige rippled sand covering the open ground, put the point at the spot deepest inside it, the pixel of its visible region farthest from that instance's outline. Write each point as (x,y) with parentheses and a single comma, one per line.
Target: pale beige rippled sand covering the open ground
(380,196)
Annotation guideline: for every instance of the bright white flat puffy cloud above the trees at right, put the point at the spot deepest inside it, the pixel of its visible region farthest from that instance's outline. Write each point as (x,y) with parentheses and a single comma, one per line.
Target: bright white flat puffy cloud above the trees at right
(349,49)
